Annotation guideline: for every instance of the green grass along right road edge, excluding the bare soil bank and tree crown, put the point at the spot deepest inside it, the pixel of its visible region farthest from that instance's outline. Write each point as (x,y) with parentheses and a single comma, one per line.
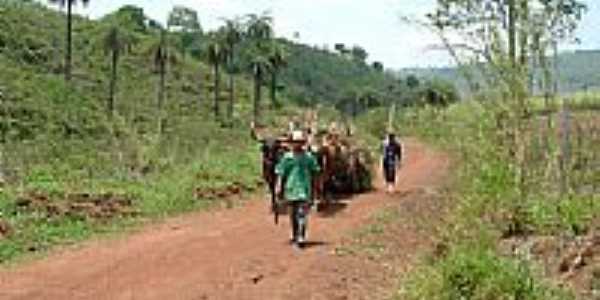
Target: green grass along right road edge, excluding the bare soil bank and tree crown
(489,204)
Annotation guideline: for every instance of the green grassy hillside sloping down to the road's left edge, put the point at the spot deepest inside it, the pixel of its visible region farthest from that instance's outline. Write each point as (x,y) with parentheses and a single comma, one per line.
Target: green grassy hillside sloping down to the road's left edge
(68,169)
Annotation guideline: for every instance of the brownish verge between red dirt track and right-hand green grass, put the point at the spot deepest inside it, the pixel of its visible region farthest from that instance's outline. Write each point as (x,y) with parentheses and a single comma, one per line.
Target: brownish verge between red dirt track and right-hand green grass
(395,239)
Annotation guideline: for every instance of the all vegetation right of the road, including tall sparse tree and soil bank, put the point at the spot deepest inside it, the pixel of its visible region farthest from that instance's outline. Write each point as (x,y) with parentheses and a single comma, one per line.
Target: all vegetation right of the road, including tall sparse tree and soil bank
(524,223)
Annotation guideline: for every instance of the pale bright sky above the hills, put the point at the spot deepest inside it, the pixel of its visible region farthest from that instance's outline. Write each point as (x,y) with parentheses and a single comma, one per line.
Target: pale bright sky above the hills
(376,25)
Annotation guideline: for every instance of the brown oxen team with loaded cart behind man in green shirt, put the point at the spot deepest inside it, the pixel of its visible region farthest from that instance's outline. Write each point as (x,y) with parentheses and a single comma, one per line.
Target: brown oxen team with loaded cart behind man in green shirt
(345,168)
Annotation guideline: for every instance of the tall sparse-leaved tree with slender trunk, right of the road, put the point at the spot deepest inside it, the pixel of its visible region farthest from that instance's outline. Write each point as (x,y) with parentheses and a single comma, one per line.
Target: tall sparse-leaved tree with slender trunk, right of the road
(486,24)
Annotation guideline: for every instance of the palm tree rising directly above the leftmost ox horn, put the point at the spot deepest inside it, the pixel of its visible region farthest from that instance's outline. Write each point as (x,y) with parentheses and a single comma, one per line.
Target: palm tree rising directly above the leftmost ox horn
(260,31)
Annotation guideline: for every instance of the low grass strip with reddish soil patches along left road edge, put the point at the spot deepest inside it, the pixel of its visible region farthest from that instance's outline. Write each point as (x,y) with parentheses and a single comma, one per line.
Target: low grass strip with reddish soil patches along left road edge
(55,205)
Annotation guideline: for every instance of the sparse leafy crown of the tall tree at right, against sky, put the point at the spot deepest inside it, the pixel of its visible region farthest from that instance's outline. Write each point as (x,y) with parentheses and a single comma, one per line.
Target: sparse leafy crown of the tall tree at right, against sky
(498,31)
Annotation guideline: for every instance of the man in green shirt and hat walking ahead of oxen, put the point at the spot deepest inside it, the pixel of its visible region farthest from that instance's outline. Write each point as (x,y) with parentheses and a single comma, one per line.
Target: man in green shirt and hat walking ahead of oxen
(298,168)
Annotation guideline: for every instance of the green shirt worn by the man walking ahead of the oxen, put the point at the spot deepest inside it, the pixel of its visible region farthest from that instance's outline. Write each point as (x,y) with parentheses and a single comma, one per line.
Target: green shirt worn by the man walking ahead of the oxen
(298,171)
